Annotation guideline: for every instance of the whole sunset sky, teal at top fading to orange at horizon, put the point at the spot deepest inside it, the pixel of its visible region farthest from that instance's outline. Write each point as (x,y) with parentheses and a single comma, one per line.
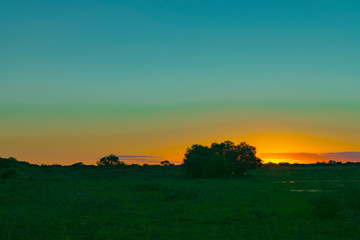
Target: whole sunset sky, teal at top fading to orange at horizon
(83,79)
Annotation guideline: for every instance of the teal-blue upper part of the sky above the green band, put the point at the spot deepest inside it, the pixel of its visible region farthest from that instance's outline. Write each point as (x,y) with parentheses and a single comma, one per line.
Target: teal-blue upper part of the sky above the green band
(184,51)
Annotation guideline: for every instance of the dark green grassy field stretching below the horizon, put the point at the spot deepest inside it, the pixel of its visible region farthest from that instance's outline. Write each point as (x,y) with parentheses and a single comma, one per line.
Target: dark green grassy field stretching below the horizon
(160,203)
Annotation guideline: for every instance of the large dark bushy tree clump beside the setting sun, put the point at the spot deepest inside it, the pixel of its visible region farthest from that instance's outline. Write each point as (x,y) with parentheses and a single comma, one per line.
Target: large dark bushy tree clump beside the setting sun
(220,160)
